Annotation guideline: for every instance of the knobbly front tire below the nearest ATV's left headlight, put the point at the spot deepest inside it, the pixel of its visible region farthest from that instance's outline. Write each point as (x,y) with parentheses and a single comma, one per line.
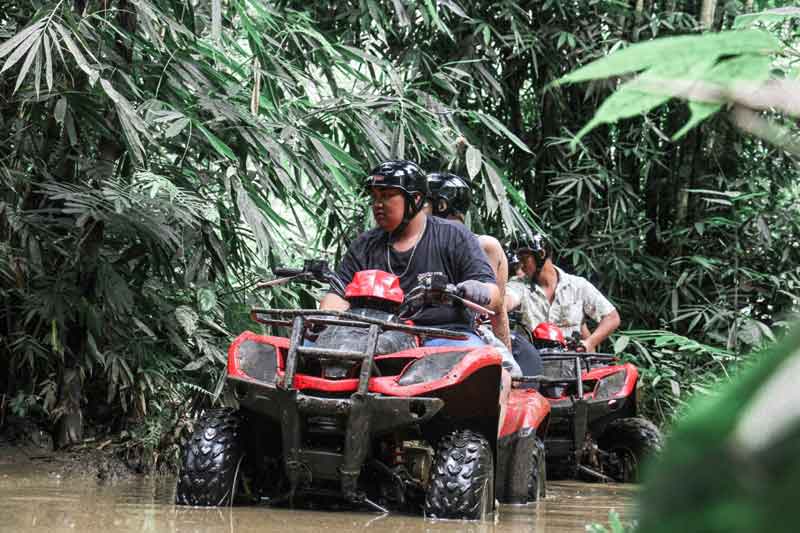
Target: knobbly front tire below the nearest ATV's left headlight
(211,461)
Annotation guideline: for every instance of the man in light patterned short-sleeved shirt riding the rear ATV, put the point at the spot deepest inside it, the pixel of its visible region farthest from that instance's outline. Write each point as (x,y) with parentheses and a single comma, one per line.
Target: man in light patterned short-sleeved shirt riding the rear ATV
(545,293)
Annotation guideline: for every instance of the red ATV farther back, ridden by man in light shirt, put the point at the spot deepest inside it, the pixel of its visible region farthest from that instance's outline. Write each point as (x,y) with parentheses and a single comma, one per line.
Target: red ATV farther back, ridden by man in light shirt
(595,430)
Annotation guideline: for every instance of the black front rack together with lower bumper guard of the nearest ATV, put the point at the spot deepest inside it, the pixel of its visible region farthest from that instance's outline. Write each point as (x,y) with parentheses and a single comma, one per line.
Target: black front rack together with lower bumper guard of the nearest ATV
(364,412)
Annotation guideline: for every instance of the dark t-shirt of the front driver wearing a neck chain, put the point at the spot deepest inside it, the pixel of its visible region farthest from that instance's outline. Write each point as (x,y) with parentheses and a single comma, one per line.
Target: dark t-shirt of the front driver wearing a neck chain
(445,247)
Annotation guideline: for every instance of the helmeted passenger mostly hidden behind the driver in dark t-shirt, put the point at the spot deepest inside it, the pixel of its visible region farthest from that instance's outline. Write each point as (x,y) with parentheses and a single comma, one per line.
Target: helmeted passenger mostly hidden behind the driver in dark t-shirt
(450,197)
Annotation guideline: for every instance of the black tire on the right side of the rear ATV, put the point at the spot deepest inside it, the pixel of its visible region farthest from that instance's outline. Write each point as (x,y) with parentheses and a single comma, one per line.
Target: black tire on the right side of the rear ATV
(631,440)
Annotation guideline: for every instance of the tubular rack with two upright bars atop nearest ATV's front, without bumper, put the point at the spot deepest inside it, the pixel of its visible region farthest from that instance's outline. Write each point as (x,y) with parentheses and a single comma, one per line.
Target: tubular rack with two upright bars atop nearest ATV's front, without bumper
(301,319)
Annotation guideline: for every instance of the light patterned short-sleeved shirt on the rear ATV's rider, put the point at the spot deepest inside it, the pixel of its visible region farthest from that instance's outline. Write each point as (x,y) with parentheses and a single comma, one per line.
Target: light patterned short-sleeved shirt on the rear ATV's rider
(574,299)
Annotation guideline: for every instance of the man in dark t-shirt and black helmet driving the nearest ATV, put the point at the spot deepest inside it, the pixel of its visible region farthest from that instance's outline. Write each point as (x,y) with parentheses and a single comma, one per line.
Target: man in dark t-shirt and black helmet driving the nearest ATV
(414,247)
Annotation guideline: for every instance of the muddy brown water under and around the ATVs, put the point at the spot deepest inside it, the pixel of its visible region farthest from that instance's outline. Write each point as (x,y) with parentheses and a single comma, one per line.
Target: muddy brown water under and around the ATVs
(34,499)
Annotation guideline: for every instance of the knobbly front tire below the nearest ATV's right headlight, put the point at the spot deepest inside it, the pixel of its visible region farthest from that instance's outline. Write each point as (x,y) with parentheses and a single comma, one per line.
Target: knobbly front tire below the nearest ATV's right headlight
(462,478)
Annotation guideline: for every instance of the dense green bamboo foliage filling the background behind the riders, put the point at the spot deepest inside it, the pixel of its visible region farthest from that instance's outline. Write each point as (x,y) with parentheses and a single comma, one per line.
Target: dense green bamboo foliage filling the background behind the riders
(158,156)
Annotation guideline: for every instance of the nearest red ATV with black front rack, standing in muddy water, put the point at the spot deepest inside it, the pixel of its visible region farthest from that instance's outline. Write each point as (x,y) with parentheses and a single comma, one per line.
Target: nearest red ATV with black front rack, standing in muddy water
(361,415)
